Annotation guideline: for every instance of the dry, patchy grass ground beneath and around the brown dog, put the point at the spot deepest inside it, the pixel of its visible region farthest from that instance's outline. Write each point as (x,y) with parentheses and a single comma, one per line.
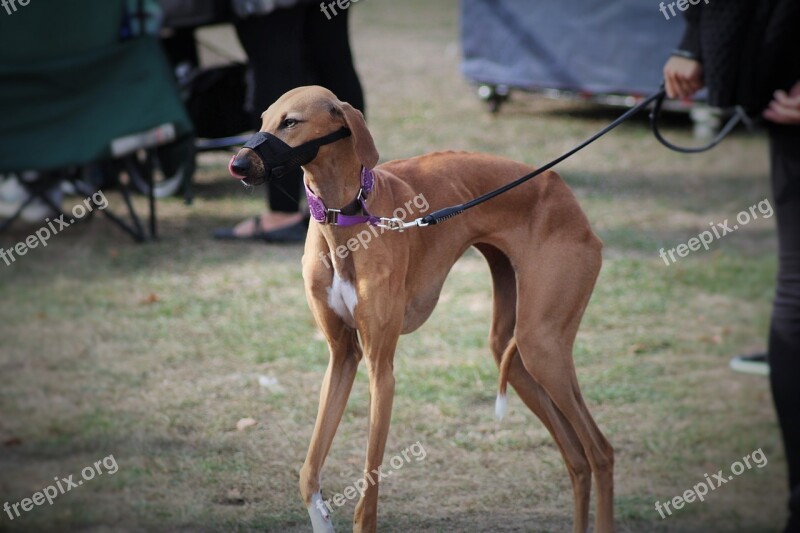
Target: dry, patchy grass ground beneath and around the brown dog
(153,353)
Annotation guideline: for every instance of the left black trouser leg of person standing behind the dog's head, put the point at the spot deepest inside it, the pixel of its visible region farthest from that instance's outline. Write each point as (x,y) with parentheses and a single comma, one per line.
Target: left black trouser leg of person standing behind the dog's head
(274,46)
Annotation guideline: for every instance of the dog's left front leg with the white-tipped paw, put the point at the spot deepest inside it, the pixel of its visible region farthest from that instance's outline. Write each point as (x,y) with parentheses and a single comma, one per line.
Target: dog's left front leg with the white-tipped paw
(336,387)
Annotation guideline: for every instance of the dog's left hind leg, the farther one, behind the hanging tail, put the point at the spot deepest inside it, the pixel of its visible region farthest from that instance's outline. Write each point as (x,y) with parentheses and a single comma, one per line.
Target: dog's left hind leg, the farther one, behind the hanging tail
(530,392)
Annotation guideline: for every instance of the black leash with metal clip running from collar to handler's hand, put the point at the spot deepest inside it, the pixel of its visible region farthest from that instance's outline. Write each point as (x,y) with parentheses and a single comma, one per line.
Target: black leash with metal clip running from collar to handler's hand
(657,97)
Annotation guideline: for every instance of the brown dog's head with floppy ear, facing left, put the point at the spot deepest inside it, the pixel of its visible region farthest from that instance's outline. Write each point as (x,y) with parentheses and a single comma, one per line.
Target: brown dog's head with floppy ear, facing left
(301,116)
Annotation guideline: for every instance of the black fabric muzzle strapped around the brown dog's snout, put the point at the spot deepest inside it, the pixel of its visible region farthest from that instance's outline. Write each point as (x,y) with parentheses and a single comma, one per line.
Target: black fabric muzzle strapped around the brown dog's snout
(279,158)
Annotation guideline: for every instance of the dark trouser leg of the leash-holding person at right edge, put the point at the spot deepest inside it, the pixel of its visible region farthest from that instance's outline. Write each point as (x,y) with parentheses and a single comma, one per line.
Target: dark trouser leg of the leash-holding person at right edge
(784,340)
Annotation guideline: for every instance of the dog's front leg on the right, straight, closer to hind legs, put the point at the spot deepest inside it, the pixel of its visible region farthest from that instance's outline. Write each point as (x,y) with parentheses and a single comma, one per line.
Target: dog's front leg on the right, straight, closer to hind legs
(379,353)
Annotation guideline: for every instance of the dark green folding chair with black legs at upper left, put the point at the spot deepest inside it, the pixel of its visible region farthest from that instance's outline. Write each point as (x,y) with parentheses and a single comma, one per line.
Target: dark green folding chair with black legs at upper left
(78,100)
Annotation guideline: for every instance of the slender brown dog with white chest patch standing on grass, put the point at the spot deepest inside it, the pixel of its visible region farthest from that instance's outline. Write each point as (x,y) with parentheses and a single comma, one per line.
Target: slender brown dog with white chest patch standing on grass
(544,259)
